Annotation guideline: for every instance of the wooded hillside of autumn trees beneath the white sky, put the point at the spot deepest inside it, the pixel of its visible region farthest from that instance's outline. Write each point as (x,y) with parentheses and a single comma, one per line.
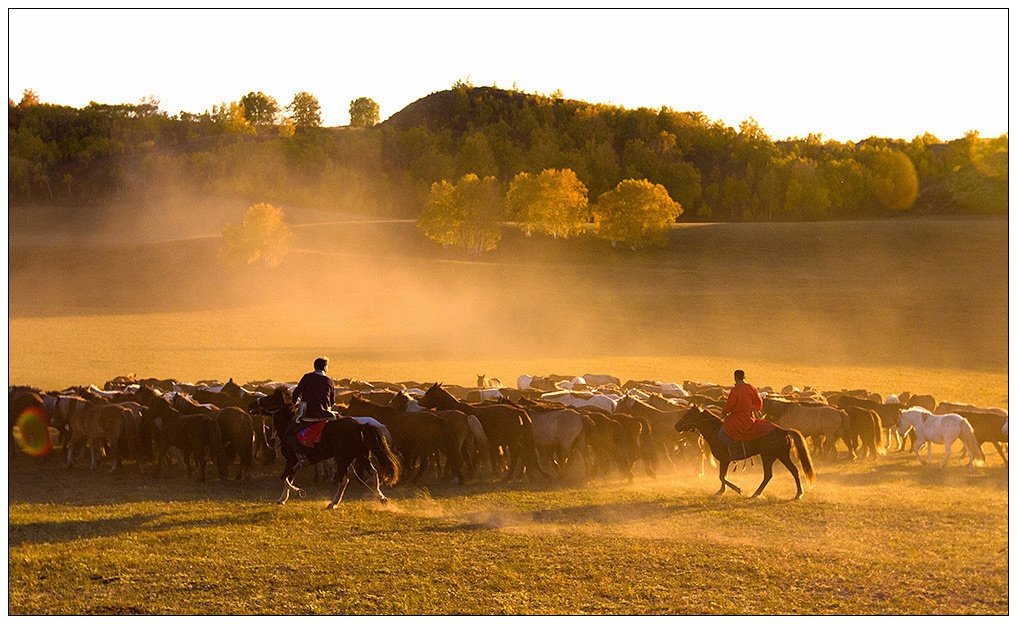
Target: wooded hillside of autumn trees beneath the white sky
(416,161)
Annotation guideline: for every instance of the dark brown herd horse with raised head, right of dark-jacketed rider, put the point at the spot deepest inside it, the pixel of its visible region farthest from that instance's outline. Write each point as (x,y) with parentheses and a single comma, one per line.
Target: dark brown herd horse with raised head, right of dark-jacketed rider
(506,427)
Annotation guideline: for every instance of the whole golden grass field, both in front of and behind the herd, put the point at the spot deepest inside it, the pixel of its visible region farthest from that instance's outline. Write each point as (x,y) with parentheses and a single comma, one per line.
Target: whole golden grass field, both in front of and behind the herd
(920,305)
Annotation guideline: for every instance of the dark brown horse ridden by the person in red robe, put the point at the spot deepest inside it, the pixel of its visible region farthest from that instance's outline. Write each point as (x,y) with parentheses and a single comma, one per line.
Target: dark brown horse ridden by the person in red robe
(779,445)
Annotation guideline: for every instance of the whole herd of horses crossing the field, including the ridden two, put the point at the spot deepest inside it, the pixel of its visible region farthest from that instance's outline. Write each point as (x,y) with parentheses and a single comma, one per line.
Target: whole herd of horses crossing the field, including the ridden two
(578,428)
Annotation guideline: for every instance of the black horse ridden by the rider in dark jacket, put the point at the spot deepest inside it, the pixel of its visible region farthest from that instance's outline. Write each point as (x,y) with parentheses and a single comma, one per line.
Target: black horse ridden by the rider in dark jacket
(344,441)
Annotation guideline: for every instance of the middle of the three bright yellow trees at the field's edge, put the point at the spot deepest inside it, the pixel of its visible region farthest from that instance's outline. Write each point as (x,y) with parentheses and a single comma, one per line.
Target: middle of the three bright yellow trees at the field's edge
(554,203)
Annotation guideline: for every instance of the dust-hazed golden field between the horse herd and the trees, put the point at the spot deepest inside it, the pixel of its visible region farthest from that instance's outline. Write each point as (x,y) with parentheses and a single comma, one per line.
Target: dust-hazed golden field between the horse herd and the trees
(138,288)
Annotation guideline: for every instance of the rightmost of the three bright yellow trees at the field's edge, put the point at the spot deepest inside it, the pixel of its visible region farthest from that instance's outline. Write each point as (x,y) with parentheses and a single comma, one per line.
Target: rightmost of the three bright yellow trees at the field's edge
(637,213)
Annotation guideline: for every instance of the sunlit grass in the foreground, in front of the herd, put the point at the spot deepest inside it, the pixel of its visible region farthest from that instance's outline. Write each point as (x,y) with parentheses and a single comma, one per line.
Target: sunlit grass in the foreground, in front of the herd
(889,537)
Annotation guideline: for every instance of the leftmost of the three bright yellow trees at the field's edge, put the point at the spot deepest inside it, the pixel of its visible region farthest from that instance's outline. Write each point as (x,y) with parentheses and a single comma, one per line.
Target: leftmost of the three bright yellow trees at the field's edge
(464,215)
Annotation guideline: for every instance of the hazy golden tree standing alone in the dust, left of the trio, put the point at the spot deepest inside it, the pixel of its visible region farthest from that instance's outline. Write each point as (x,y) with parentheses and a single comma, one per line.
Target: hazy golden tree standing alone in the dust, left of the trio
(264,236)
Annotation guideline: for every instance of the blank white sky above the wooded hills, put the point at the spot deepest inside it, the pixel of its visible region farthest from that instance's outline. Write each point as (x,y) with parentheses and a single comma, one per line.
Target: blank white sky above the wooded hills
(849,75)
